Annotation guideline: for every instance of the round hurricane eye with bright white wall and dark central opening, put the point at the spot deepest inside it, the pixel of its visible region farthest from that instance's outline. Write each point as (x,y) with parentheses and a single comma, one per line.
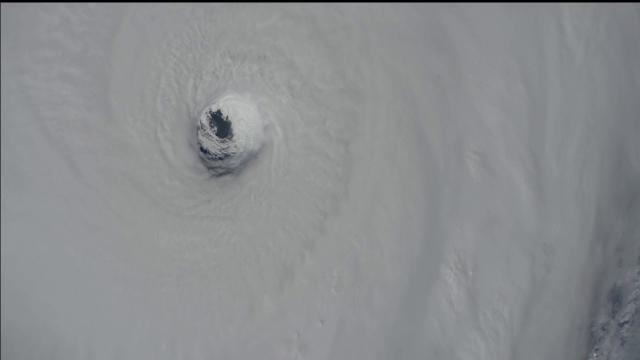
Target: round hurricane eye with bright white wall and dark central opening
(230,132)
